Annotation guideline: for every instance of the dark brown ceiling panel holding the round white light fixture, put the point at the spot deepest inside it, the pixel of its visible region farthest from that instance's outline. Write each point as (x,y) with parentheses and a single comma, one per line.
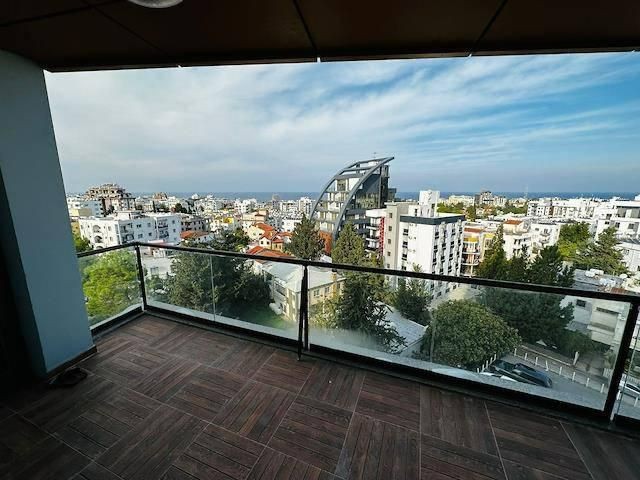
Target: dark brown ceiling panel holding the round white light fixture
(206,30)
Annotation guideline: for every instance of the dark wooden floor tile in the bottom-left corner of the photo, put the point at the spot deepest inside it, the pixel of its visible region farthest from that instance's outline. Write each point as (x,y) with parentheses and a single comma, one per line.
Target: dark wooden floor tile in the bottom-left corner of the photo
(50,460)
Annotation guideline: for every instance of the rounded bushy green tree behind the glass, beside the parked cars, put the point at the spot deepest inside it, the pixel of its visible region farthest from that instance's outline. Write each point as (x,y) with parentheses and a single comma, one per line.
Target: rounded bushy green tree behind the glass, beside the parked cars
(465,334)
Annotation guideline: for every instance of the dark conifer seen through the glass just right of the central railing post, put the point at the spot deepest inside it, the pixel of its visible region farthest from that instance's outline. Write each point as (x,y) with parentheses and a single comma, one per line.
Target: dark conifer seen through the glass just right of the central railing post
(359,310)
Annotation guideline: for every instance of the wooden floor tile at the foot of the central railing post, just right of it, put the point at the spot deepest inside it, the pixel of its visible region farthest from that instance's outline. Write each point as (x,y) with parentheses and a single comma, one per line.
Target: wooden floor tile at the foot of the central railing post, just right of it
(334,384)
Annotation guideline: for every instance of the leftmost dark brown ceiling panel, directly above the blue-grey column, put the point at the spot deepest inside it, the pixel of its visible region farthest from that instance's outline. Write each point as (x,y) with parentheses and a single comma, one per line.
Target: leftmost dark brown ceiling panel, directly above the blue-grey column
(80,40)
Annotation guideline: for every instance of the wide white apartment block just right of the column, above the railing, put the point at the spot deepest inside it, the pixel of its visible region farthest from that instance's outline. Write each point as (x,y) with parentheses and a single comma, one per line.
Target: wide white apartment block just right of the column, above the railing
(126,227)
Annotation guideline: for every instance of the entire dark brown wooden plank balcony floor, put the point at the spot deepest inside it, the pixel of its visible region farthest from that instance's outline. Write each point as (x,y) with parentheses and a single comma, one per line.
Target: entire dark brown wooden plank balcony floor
(165,400)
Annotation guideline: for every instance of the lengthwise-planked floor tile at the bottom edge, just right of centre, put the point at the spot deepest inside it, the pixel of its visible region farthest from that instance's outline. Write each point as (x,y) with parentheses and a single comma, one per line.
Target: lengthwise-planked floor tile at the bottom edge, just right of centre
(376,449)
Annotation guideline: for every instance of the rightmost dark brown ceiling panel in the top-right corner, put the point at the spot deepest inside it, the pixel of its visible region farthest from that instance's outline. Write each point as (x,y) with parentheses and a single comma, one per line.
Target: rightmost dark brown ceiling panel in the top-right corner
(564,25)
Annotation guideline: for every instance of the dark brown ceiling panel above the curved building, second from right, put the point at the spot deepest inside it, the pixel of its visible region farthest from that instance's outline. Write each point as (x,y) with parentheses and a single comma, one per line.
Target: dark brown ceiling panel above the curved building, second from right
(429,27)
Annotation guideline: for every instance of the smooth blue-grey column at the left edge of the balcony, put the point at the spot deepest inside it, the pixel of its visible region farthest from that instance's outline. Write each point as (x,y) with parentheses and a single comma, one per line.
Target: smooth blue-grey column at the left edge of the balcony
(35,235)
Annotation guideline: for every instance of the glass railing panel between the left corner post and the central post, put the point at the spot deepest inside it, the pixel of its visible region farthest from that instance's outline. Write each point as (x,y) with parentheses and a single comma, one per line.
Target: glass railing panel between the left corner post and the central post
(257,295)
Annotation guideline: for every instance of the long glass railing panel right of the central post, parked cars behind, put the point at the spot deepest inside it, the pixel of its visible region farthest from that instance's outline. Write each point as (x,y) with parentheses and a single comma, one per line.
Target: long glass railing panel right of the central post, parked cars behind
(560,347)
